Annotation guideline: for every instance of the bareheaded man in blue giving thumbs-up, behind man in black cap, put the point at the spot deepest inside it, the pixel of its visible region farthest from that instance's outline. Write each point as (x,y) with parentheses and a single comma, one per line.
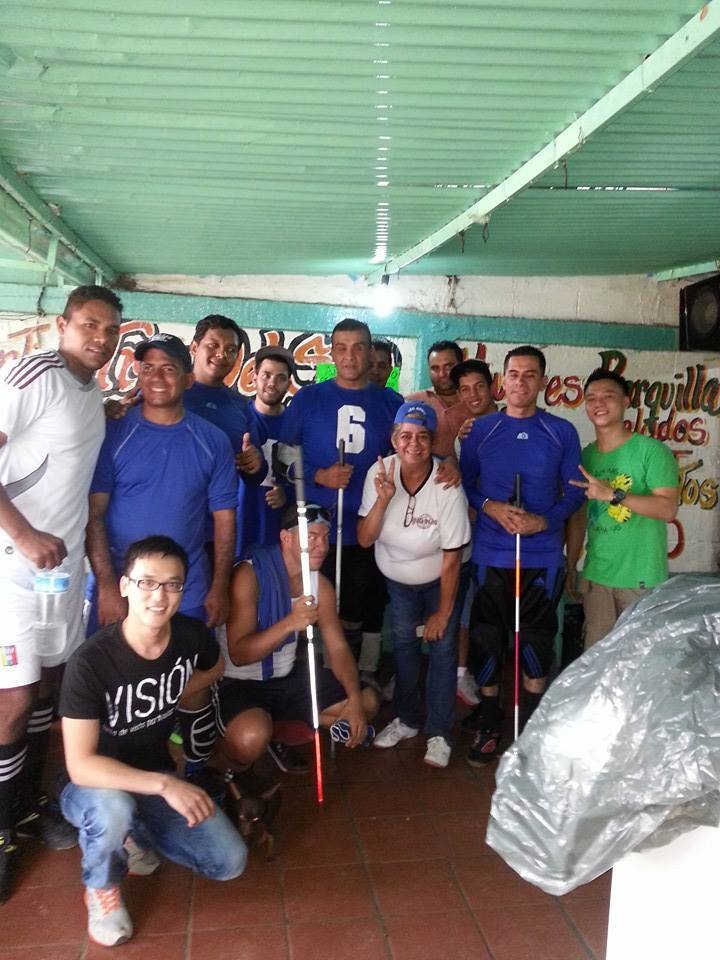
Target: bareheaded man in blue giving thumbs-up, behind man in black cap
(214,349)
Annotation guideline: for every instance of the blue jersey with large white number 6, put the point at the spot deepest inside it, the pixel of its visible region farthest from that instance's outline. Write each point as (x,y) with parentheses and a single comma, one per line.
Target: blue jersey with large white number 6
(319,417)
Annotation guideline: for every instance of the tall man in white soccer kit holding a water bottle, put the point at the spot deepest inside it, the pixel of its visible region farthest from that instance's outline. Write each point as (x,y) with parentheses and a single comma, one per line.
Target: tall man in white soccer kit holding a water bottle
(51,429)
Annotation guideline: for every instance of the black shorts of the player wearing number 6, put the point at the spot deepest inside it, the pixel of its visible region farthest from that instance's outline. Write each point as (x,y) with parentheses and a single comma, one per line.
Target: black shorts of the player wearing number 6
(362,587)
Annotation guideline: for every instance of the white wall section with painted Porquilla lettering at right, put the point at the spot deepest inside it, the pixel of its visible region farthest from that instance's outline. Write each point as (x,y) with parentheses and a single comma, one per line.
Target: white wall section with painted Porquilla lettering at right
(675,398)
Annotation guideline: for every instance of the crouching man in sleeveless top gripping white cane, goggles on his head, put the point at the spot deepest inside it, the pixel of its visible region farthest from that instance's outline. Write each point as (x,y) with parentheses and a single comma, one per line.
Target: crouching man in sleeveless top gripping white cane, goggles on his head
(266,678)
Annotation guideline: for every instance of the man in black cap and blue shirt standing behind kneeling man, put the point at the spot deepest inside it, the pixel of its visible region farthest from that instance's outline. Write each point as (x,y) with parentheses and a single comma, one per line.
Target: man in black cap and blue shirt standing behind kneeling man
(163,470)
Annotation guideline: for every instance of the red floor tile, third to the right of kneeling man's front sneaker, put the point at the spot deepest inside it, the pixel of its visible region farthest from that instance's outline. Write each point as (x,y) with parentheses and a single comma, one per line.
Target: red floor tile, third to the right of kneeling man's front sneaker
(314,893)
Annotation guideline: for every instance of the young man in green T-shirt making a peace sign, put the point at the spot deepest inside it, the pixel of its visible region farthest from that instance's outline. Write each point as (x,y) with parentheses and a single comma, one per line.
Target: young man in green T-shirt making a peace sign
(631,483)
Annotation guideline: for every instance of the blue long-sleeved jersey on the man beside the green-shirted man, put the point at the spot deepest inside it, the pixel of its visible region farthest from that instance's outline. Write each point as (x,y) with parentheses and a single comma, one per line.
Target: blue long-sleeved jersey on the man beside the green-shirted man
(545,451)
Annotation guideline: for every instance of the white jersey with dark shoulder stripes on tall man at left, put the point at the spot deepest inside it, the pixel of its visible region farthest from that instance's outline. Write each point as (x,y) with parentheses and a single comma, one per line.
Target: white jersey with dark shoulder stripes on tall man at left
(55,427)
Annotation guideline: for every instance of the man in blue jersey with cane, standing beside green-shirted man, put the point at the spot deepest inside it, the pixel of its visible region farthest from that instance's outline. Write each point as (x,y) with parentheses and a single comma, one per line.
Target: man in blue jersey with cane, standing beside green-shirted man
(545,451)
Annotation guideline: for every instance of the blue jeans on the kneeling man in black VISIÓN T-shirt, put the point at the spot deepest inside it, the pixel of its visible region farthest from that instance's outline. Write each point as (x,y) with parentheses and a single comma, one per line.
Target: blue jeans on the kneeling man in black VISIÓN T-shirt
(104,818)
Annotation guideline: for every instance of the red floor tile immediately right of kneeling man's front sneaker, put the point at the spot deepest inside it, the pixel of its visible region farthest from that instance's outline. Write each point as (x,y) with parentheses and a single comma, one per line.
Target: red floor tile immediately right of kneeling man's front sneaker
(160,903)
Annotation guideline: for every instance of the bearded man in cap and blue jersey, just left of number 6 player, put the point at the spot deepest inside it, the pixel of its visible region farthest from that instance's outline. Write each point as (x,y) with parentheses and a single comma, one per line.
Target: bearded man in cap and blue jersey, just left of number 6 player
(263,504)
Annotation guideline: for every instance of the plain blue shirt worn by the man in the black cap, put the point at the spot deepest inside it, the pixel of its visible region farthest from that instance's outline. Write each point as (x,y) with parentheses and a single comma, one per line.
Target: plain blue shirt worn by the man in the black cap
(165,479)
